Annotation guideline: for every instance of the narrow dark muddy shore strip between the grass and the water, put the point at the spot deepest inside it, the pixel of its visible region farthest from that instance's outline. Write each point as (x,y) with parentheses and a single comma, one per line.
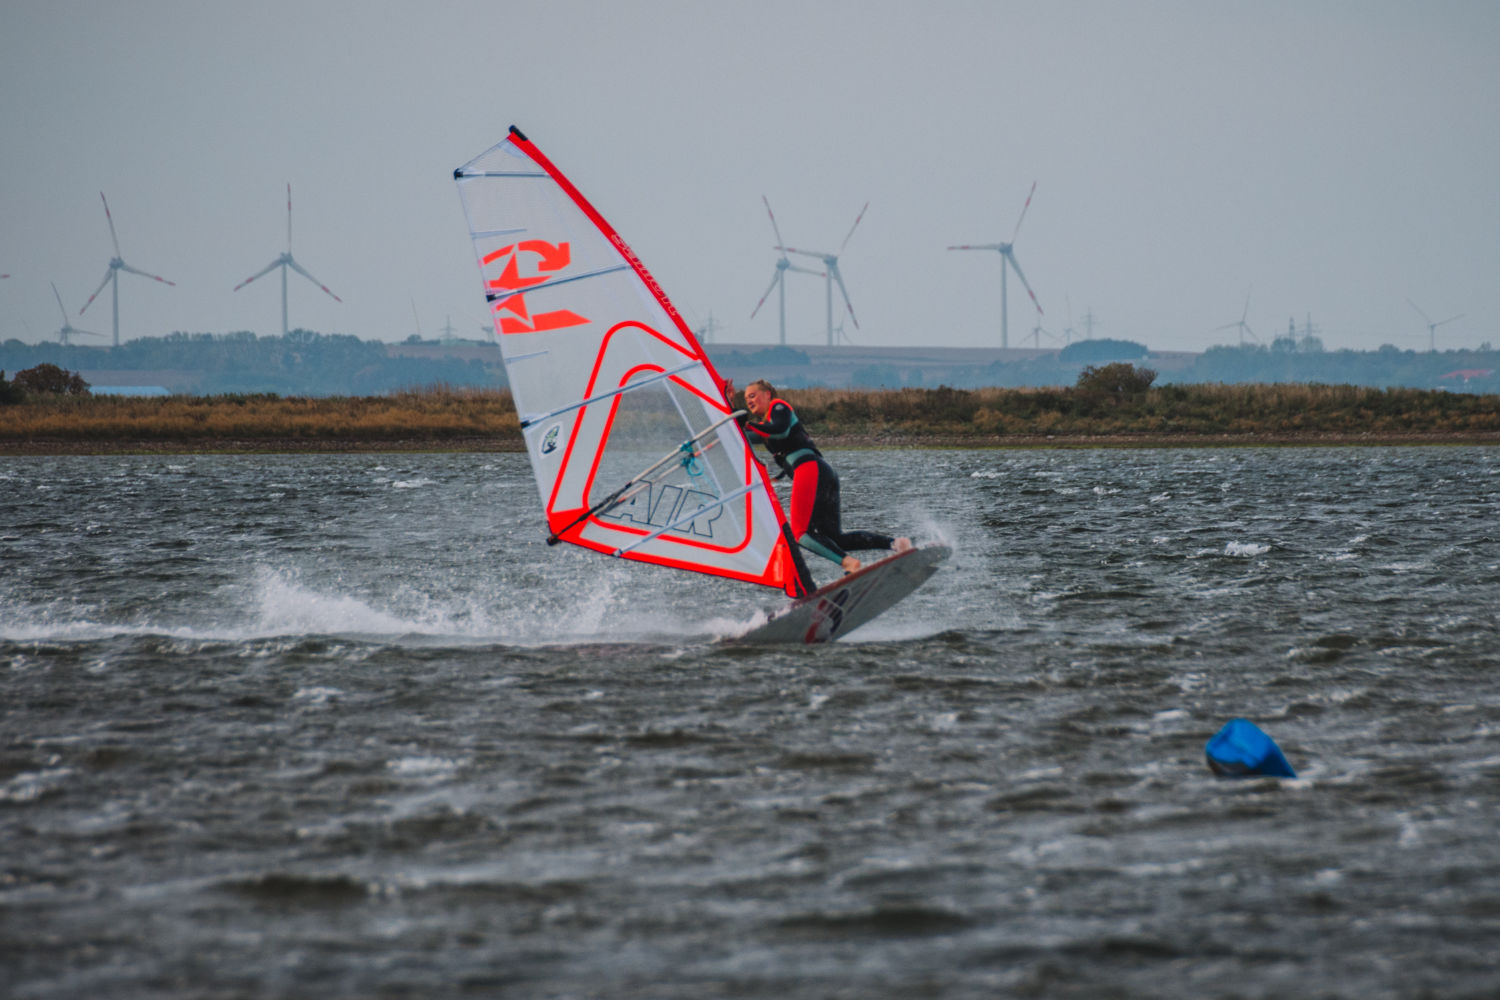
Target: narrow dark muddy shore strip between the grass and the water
(829,443)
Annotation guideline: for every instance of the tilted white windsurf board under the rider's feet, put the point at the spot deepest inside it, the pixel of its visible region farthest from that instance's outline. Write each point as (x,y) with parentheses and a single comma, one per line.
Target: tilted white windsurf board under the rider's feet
(850,602)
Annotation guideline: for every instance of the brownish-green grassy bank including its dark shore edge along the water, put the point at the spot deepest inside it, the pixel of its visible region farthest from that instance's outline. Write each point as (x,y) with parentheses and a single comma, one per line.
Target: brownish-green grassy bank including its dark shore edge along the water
(485,421)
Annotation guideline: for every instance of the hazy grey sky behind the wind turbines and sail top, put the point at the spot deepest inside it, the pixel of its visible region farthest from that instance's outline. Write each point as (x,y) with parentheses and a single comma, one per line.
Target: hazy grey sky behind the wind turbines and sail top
(1330,160)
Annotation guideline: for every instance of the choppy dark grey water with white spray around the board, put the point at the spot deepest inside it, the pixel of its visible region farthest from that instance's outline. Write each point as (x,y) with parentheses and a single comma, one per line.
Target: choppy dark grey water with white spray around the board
(347,728)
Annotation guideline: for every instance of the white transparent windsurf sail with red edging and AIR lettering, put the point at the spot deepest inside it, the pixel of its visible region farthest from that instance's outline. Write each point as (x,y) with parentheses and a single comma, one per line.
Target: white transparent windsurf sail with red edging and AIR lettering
(632,442)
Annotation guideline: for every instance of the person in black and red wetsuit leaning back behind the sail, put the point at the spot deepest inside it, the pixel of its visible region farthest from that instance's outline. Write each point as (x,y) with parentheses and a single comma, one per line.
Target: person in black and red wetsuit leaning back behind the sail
(815,516)
